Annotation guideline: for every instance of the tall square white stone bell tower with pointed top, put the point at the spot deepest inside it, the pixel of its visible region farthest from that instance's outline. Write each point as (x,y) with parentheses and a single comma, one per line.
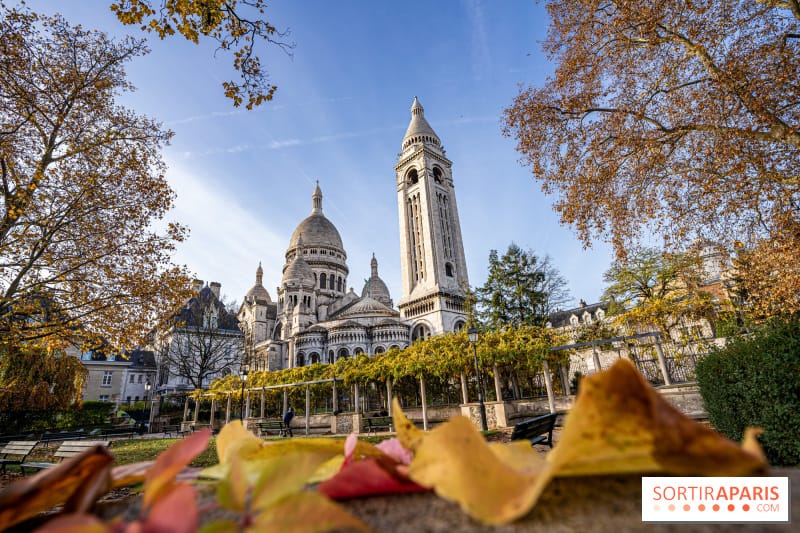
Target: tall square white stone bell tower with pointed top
(434,270)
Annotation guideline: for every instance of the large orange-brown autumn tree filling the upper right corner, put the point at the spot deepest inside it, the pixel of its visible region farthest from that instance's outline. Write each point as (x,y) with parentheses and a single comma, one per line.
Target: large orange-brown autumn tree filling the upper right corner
(673,118)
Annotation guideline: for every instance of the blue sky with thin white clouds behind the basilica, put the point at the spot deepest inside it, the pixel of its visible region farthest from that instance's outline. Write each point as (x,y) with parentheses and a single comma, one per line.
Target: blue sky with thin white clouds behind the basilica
(244,178)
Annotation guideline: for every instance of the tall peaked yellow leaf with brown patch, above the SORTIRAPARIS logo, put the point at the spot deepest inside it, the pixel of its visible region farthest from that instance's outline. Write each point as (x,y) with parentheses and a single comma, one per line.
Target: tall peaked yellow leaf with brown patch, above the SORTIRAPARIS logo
(620,424)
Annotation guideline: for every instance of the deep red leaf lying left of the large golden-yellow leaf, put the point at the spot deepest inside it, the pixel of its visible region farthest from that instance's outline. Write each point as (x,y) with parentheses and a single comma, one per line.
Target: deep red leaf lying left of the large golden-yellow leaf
(369,477)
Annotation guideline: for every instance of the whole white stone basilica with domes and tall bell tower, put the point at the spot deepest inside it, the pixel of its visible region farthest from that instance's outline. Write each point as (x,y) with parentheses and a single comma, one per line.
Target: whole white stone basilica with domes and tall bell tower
(315,319)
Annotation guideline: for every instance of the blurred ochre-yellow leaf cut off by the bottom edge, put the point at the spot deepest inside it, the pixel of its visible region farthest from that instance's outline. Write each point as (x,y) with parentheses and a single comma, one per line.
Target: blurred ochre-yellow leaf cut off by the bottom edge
(306,512)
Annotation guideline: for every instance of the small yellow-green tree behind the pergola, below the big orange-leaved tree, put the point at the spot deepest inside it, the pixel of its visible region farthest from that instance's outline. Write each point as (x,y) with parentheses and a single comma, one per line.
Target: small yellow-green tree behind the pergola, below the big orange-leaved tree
(653,288)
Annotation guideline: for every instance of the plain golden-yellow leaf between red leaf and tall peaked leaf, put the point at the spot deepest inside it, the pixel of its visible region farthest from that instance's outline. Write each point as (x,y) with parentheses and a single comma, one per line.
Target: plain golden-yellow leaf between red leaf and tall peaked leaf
(457,463)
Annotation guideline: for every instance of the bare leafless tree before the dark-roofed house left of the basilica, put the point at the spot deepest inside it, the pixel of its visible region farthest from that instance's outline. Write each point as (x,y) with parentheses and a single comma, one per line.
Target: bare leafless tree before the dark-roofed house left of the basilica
(204,342)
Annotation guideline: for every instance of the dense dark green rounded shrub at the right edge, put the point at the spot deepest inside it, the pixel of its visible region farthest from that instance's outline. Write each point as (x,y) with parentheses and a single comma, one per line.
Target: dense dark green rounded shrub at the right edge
(755,381)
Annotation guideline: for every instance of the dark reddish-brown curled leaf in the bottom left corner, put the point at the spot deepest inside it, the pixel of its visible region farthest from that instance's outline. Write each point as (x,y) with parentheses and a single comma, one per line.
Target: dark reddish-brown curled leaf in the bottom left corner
(76,482)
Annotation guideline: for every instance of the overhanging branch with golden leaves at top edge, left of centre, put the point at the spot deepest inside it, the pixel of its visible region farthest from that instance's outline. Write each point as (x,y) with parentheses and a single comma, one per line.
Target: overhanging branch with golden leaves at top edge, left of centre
(236,26)
